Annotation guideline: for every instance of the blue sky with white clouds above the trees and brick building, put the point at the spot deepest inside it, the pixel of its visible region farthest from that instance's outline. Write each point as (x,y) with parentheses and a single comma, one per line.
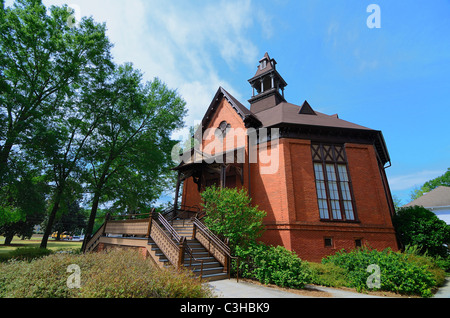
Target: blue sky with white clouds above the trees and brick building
(395,79)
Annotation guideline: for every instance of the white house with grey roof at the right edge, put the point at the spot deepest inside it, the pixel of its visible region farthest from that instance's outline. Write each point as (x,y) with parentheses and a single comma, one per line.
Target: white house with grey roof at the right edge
(437,201)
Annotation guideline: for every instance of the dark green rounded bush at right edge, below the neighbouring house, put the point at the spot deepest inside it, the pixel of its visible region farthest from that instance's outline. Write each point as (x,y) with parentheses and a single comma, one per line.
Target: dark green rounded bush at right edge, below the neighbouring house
(419,226)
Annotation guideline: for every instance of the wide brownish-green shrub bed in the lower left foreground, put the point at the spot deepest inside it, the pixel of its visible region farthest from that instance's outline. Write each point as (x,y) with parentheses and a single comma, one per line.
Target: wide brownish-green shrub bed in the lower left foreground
(117,274)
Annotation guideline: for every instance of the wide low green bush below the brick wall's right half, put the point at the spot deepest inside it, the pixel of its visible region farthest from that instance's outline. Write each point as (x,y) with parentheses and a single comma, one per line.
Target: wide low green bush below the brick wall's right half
(399,272)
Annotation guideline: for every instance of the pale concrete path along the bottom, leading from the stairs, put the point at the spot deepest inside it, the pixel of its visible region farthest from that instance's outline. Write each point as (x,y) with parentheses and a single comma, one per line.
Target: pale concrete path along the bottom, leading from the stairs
(232,289)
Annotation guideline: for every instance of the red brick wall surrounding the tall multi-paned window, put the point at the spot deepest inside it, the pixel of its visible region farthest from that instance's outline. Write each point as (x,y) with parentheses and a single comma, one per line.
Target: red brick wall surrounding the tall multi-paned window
(304,232)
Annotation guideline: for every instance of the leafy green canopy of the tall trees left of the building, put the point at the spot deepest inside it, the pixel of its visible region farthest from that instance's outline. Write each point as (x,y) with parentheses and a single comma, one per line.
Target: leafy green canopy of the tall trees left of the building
(83,124)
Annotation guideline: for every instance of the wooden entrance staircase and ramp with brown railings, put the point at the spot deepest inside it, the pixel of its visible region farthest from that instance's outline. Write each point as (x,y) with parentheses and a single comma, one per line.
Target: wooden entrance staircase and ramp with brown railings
(181,243)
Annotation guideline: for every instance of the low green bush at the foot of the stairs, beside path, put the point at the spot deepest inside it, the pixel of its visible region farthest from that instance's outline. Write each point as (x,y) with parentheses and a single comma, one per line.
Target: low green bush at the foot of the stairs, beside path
(273,265)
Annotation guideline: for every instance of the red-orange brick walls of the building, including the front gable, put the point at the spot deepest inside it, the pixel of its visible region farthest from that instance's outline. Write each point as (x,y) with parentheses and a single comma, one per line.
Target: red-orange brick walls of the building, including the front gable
(289,197)
